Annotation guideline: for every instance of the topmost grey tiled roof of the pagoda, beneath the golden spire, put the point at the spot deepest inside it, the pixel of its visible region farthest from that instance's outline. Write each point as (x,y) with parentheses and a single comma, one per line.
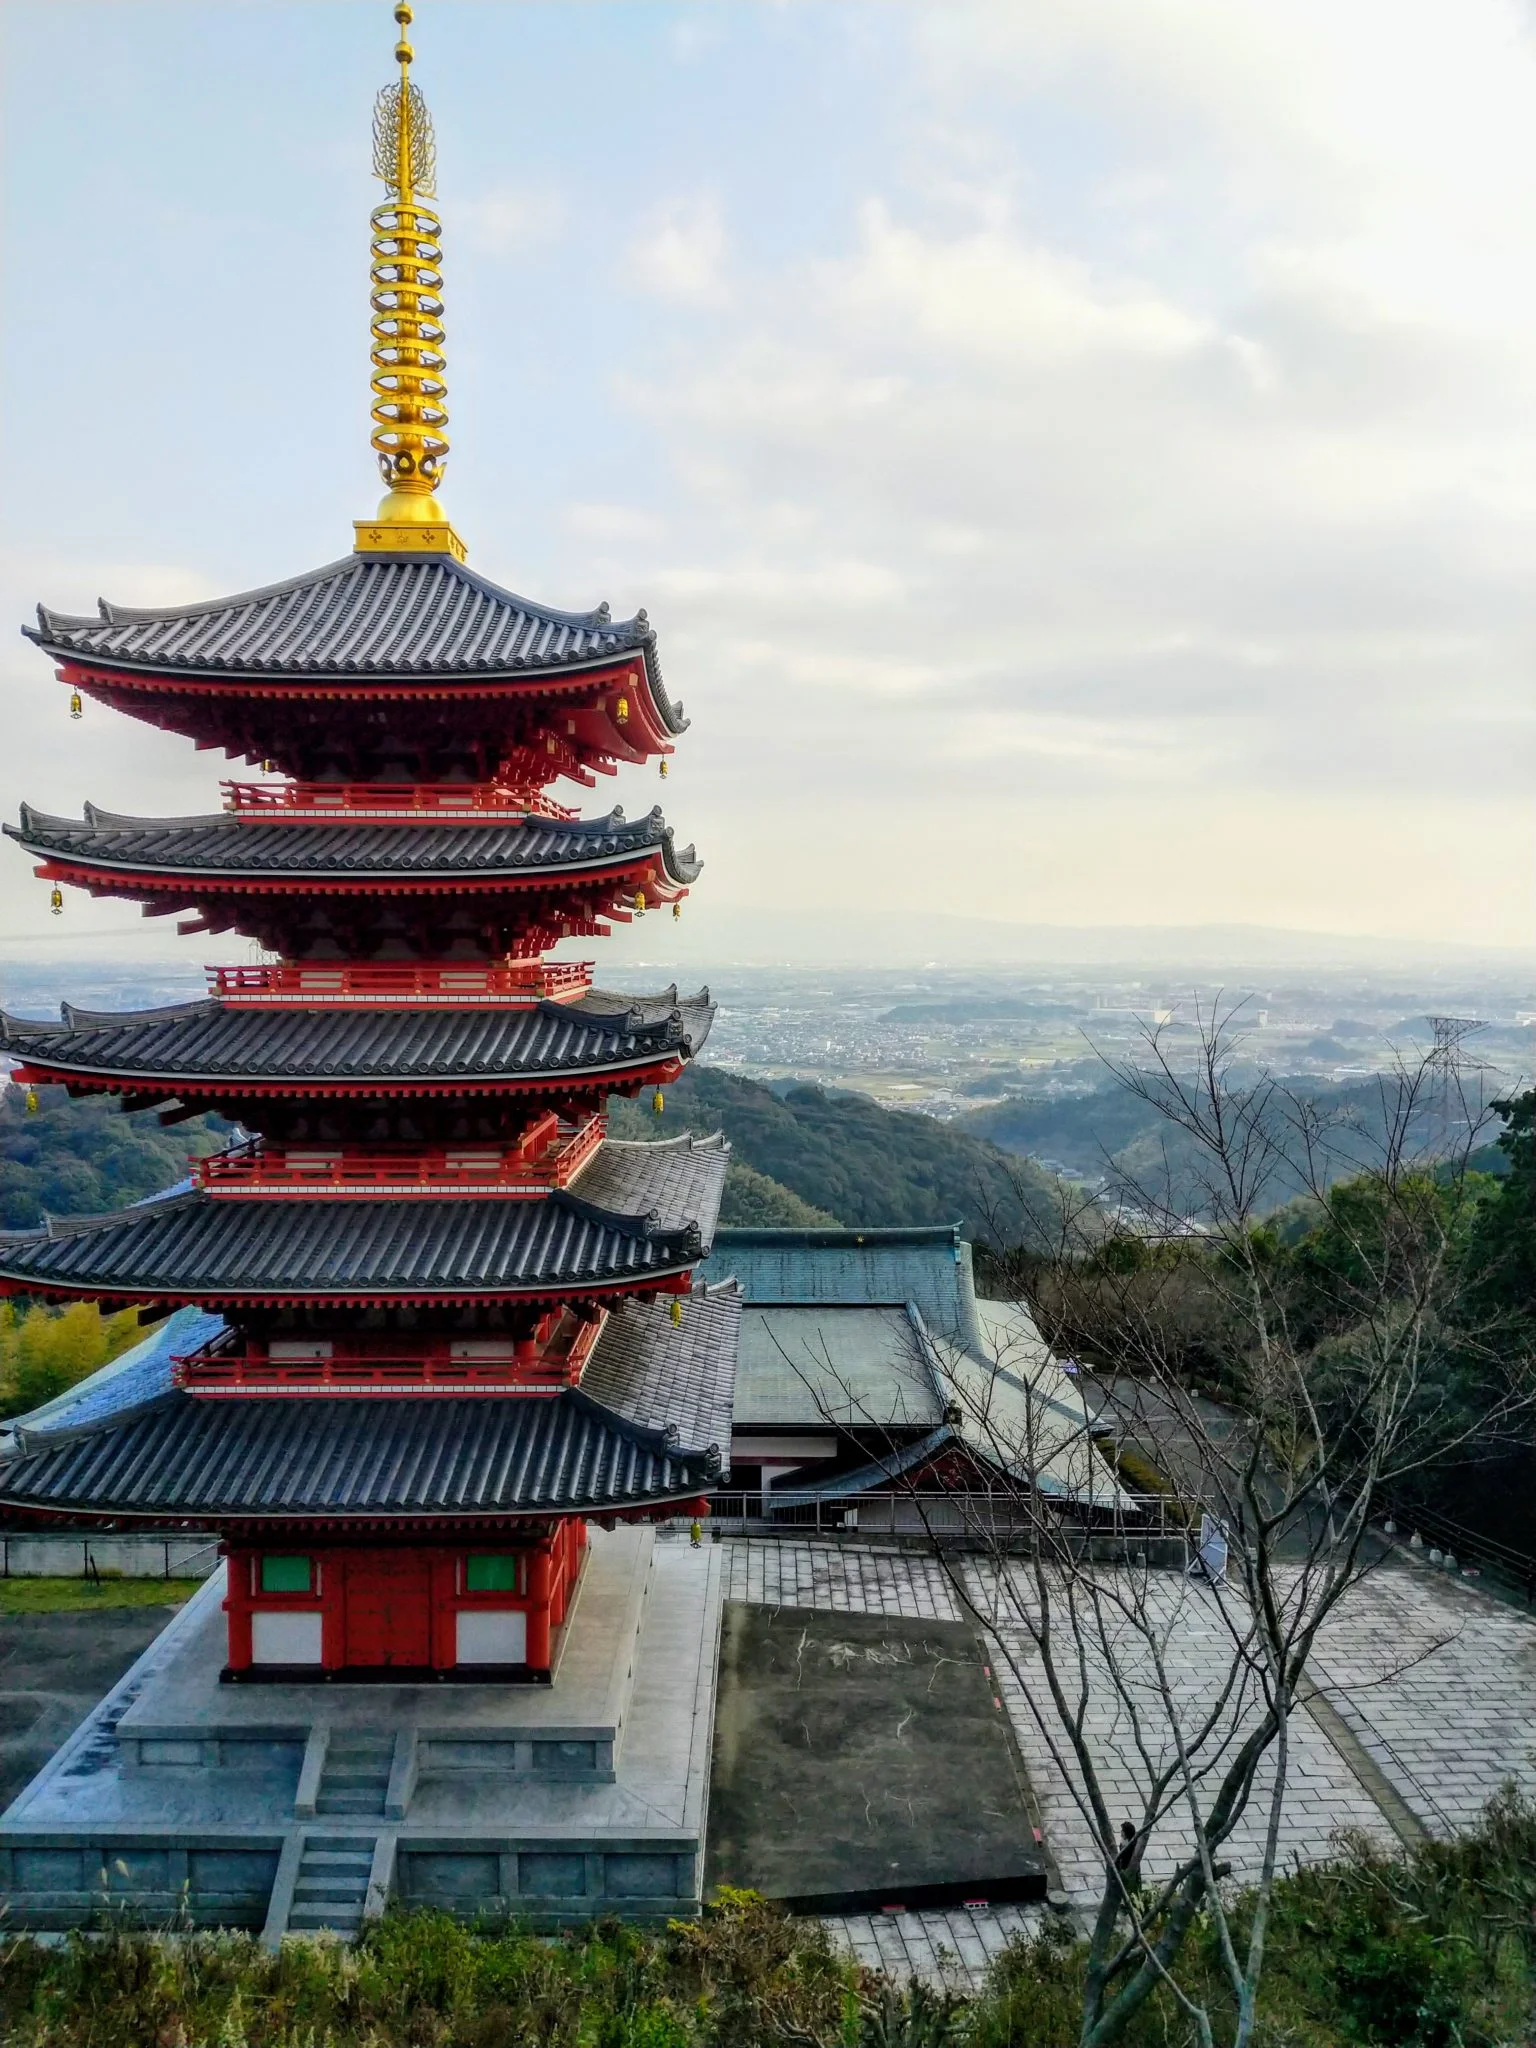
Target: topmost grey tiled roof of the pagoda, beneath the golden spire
(364,615)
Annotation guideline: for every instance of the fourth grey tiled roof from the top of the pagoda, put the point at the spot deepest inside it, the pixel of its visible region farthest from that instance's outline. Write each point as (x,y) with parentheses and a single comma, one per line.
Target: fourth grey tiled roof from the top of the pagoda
(198,1248)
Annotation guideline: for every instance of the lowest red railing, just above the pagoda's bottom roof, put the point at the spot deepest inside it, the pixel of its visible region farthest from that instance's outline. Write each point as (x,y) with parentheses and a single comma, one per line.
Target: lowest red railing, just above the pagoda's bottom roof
(437,1367)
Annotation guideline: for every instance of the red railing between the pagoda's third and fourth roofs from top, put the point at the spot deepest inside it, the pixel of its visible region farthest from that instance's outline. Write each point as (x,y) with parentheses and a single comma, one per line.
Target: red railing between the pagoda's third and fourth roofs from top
(548,1156)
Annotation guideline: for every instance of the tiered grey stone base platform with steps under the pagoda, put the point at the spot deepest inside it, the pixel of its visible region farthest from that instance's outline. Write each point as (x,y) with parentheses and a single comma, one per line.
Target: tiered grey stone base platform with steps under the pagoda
(310,1805)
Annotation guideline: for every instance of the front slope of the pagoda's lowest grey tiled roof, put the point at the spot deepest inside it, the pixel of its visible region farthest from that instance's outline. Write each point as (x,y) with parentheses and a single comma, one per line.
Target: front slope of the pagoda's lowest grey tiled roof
(390,1457)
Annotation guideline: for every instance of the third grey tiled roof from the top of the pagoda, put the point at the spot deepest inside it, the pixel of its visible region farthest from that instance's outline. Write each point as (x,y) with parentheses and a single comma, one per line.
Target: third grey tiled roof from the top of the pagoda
(214,1046)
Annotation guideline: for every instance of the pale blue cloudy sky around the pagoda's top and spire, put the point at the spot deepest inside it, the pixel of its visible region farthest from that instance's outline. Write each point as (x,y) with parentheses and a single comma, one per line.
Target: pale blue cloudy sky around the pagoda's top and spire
(1080,460)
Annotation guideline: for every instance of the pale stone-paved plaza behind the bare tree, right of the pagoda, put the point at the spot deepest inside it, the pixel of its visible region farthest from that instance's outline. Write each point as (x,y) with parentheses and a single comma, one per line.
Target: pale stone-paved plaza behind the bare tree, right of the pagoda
(1428,1705)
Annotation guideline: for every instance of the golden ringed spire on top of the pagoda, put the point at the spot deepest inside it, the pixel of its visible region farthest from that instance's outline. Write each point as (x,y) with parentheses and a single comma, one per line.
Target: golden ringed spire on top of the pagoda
(411,413)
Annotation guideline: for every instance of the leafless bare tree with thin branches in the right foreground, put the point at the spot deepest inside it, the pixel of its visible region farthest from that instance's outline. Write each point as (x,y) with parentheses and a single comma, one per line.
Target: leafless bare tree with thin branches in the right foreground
(1164,1676)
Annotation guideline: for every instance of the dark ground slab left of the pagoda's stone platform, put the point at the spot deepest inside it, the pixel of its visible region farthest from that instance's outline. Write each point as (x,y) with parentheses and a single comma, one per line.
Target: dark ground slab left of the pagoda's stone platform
(54,1668)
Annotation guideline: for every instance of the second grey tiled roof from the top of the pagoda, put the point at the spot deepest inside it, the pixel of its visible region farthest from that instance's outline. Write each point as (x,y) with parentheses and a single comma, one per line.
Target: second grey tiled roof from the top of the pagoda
(355,853)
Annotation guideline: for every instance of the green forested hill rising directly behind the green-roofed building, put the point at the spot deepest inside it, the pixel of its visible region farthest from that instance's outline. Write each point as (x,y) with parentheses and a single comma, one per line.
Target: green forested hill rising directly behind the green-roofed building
(851,1158)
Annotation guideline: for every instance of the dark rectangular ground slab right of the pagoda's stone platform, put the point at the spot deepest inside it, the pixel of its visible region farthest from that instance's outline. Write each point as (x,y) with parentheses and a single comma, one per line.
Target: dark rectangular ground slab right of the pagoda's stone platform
(865,1762)
